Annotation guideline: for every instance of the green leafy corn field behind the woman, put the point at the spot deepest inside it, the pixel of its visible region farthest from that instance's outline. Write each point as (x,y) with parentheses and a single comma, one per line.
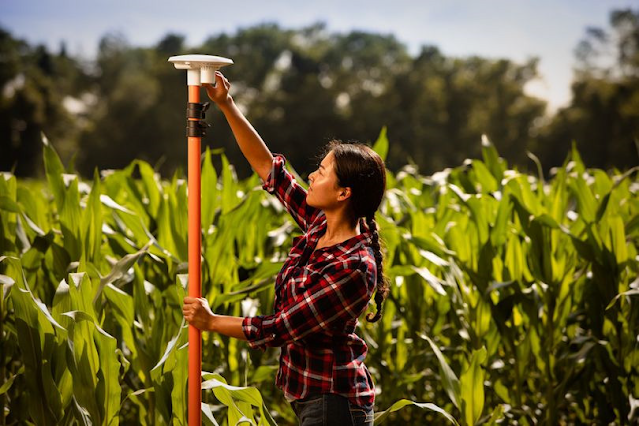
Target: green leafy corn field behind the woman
(513,296)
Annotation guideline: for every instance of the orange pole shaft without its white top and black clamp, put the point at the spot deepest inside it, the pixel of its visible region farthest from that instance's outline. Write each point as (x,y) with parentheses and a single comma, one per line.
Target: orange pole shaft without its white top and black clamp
(195,271)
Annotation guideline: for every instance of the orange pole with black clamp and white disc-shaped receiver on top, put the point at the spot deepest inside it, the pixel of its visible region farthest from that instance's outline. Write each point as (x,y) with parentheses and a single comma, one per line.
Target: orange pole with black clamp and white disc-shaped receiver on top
(200,69)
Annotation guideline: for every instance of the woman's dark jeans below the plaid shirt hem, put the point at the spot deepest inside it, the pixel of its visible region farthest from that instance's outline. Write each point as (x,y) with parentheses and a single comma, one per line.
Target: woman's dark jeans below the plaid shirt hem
(330,410)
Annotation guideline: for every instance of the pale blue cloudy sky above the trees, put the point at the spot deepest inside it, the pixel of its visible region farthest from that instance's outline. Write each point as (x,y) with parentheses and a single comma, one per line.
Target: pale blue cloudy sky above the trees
(514,29)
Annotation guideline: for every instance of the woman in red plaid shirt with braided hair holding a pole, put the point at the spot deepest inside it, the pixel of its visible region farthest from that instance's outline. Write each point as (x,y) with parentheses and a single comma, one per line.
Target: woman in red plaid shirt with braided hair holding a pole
(326,282)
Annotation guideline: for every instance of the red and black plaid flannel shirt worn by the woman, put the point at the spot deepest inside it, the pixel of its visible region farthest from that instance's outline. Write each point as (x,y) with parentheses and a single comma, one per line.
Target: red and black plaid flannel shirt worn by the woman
(319,296)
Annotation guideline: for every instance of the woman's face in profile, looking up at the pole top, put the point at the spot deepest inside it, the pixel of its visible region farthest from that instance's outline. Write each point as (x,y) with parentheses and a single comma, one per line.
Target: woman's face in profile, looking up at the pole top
(324,192)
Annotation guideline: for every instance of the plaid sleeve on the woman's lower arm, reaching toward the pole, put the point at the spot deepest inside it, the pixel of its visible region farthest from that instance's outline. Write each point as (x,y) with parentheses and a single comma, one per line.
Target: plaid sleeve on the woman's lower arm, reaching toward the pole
(342,294)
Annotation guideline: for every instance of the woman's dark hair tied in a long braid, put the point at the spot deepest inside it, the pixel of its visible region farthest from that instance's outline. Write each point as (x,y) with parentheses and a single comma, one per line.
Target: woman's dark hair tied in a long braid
(362,170)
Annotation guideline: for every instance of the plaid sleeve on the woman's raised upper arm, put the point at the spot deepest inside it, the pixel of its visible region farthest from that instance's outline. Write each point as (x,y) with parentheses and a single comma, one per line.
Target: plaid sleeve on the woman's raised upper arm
(281,183)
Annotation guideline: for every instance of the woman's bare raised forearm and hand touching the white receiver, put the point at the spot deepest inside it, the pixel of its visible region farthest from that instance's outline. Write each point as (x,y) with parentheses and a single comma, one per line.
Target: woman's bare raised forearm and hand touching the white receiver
(249,141)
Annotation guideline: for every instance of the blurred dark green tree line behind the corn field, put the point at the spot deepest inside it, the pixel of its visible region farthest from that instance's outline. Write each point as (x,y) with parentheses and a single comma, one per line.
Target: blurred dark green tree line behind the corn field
(303,87)
